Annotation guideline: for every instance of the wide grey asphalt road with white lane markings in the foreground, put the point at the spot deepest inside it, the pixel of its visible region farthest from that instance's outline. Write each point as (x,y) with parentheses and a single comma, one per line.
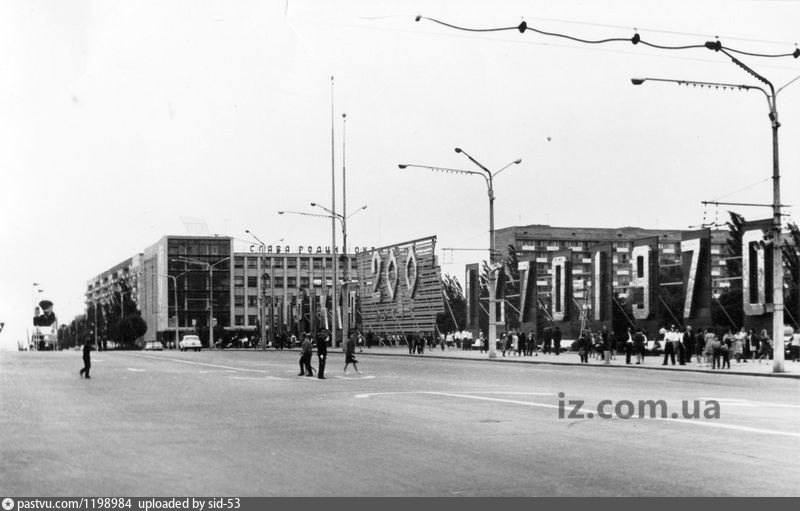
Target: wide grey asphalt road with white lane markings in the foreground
(244,424)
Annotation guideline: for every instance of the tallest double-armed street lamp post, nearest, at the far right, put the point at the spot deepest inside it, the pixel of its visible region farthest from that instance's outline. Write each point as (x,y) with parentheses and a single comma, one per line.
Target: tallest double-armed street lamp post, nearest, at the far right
(777,260)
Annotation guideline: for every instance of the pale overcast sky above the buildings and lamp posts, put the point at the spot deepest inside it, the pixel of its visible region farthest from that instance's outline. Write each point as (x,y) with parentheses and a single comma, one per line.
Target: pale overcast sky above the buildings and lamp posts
(124,121)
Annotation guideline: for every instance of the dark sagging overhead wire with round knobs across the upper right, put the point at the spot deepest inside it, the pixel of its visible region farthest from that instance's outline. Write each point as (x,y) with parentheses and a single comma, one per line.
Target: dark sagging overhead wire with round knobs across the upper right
(635,39)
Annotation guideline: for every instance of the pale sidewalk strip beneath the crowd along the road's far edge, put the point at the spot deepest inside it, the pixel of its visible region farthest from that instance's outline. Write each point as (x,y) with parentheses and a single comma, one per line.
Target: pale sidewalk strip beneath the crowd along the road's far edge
(570,358)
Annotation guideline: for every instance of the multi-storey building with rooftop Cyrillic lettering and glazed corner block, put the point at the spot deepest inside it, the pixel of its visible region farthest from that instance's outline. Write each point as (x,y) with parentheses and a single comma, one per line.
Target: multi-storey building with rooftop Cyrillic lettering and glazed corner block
(184,284)
